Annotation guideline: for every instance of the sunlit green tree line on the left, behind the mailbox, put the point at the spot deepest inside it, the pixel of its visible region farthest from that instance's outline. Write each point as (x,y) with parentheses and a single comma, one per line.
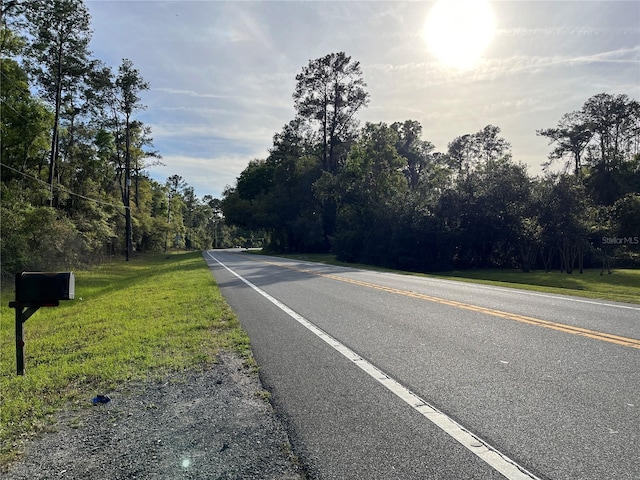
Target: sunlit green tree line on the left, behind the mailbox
(74,187)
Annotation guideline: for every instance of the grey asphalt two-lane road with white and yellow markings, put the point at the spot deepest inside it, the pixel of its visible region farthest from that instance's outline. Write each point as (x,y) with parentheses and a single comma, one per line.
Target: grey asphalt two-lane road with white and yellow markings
(361,364)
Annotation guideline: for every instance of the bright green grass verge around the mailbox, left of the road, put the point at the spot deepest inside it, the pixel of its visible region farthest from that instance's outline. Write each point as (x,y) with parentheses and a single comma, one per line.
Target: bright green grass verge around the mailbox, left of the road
(129,321)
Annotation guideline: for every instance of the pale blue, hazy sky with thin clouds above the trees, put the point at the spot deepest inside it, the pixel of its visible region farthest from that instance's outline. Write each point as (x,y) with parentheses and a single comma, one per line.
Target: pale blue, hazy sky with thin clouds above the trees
(222,73)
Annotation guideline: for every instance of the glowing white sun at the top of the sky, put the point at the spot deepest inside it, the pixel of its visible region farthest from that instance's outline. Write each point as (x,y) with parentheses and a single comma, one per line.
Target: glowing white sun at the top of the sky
(459,31)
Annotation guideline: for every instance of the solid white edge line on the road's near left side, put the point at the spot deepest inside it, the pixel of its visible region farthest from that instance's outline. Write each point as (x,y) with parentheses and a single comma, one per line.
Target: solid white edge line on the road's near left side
(500,462)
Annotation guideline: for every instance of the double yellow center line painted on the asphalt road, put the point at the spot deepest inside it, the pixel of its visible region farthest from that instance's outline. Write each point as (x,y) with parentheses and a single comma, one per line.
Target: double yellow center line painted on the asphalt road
(594,334)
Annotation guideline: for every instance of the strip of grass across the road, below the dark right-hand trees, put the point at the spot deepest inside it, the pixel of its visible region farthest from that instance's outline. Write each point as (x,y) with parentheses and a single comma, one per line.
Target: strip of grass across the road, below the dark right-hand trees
(623,285)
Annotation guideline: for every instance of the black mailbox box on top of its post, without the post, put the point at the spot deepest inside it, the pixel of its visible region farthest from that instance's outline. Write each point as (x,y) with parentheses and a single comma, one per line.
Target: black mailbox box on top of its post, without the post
(44,288)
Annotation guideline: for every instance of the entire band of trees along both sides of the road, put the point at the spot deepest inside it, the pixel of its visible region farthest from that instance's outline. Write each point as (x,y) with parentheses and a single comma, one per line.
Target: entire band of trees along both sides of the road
(74,187)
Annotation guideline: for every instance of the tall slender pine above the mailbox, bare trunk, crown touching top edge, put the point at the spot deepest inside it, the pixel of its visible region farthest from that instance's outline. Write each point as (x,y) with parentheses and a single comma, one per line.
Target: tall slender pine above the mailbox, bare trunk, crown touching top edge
(58,55)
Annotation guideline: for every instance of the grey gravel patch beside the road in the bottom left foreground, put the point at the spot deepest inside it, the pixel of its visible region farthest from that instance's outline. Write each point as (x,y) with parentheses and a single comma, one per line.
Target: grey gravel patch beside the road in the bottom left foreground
(214,424)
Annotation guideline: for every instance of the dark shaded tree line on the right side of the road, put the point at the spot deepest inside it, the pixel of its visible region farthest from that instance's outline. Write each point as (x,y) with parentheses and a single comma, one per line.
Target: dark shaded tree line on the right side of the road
(380,194)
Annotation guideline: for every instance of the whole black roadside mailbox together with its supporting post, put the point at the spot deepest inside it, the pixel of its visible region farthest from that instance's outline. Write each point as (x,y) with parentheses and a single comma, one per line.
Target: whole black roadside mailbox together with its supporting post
(35,290)
